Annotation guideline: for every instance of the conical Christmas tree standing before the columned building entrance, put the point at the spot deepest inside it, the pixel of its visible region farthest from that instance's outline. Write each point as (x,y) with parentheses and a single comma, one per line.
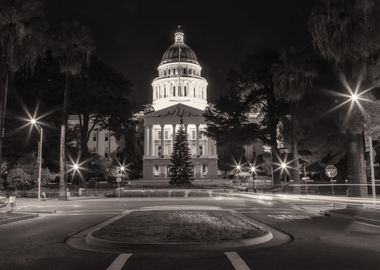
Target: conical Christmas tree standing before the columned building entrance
(181,168)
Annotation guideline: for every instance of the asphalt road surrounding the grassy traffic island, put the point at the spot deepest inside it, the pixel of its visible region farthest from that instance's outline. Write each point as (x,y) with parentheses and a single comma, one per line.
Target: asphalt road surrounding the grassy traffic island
(317,242)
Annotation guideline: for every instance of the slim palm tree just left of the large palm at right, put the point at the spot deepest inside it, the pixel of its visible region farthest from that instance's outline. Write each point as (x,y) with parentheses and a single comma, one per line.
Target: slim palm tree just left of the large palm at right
(293,77)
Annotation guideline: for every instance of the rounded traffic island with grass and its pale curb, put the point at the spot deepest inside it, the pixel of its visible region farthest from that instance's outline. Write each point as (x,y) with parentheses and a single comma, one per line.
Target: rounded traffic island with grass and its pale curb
(178,229)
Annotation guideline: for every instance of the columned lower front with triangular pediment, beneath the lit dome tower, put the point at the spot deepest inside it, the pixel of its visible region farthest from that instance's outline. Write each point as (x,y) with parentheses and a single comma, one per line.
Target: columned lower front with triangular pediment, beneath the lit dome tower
(158,129)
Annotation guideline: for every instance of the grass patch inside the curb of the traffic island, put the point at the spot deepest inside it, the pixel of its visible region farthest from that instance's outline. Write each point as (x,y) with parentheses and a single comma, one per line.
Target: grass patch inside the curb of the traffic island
(174,226)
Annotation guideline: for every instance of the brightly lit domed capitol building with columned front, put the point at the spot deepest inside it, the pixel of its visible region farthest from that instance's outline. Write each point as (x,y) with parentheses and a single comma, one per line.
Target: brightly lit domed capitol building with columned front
(178,92)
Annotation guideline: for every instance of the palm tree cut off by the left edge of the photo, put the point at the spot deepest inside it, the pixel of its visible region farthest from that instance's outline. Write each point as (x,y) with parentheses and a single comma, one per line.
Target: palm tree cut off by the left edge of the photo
(22,43)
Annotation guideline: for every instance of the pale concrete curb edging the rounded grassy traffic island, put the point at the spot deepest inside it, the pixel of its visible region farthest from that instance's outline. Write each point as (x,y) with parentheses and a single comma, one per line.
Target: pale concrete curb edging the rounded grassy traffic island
(217,245)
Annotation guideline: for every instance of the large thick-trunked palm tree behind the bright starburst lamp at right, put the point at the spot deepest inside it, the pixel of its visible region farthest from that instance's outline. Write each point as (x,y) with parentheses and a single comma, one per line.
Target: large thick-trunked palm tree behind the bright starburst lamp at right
(345,33)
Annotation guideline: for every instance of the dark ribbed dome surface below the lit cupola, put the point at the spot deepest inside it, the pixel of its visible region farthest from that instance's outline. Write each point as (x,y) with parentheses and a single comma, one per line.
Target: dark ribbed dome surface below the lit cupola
(172,54)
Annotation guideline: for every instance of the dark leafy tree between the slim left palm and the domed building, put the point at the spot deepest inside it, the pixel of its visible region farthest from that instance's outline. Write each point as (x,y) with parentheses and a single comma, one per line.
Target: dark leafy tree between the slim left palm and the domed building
(100,99)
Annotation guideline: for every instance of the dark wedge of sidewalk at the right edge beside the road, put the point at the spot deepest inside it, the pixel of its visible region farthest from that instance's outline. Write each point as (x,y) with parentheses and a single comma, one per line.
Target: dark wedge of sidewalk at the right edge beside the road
(365,215)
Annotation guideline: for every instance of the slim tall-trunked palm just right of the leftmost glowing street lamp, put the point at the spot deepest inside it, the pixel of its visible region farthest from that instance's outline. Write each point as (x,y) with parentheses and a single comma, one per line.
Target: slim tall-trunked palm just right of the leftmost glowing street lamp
(72,48)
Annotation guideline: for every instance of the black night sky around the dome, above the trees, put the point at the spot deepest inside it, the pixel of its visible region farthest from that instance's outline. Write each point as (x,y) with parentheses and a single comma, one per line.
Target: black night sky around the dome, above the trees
(132,35)
